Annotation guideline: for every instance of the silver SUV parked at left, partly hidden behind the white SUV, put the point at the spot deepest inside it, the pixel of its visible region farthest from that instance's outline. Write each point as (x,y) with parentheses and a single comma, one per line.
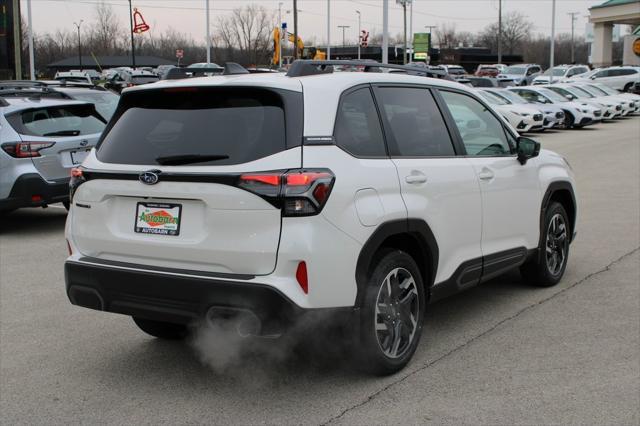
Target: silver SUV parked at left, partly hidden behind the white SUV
(41,139)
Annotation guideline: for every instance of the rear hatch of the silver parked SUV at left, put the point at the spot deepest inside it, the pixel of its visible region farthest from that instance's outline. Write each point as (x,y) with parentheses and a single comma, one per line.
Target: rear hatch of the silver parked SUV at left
(57,137)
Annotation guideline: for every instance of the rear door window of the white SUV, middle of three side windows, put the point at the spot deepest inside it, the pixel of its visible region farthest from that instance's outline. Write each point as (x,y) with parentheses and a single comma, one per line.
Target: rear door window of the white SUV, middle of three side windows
(417,128)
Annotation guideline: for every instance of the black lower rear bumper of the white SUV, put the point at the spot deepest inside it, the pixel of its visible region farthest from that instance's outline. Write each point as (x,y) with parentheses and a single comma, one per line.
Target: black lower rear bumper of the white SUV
(181,298)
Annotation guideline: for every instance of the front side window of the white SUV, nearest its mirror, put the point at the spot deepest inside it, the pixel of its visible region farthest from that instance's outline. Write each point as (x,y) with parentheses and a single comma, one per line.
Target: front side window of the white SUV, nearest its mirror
(482,133)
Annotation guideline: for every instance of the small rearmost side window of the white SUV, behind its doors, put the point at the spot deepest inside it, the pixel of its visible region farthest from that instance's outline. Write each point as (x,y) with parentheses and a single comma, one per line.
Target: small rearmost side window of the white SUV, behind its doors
(358,129)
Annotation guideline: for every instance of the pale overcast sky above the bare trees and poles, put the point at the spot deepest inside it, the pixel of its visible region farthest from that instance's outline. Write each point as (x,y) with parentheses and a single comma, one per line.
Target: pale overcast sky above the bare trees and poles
(188,15)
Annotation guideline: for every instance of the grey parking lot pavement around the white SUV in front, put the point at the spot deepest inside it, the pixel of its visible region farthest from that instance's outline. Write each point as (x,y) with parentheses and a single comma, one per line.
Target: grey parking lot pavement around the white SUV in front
(501,353)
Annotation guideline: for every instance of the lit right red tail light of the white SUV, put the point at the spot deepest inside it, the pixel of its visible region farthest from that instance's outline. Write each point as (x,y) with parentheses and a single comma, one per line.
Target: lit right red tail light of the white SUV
(297,192)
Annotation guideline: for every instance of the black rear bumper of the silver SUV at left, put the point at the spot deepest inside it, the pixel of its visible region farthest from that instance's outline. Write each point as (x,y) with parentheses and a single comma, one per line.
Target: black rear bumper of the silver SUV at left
(31,190)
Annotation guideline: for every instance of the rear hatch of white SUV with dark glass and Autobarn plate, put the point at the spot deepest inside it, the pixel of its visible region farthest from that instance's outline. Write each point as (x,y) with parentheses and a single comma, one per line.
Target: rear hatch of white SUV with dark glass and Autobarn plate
(164,188)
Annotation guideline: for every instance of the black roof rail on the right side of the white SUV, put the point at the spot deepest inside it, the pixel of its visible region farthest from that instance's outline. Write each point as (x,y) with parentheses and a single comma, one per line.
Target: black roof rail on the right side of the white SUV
(301,68)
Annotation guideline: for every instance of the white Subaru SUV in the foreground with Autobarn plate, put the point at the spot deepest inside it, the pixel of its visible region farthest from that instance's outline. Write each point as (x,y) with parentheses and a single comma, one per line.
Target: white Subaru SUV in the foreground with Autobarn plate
(354,196)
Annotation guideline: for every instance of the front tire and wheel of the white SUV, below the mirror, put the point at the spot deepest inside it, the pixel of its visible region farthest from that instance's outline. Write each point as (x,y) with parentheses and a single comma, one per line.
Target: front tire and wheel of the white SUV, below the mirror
(542,271)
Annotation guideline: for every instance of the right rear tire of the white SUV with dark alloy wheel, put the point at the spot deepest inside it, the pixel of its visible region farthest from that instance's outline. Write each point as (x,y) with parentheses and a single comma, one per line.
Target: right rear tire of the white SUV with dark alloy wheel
(370,354)
